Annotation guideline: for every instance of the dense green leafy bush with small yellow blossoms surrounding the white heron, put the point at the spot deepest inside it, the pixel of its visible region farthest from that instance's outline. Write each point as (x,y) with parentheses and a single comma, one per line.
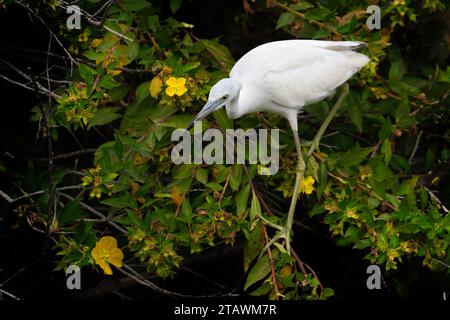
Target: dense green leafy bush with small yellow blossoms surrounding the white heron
(369,177)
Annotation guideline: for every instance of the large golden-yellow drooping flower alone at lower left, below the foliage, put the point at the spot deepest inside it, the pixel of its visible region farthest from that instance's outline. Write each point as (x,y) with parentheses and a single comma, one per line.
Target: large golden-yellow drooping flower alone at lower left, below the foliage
(106,252)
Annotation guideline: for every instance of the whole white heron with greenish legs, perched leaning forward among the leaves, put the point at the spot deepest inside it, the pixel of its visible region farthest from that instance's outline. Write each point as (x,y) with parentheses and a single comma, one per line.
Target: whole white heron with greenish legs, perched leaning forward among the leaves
(282,77)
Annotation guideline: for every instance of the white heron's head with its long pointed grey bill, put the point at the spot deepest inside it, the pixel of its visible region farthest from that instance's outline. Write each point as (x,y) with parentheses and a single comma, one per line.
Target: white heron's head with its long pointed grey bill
(221,94)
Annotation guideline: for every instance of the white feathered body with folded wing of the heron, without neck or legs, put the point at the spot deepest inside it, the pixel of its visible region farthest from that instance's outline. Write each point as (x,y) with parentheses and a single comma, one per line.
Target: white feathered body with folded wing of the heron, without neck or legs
(295,73)
